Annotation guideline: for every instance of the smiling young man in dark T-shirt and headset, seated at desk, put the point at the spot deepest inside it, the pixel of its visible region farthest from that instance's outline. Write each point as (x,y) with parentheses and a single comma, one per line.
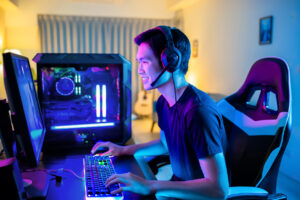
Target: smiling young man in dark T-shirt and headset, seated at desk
(192,130)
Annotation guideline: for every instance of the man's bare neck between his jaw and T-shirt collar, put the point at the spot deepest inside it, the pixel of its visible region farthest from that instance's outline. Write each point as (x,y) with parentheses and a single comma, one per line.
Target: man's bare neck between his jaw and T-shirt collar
(167,90)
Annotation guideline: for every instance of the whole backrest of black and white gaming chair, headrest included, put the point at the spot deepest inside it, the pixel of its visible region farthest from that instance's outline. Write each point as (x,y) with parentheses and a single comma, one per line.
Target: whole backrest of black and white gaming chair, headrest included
(257,120)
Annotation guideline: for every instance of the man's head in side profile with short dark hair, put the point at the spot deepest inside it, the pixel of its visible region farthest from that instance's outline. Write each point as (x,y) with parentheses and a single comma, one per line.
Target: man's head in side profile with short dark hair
(151,45)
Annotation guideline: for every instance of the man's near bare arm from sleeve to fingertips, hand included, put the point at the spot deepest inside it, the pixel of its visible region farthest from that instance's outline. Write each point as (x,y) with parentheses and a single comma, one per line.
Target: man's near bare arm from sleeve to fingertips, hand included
(214,185)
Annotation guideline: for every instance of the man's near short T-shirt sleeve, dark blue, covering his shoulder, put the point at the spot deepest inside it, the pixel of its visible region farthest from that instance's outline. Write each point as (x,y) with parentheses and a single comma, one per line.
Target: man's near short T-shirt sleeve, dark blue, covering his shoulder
(204,131)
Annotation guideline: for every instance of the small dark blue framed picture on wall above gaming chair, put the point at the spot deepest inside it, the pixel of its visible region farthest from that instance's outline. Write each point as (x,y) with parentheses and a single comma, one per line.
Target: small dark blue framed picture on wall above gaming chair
(265,30)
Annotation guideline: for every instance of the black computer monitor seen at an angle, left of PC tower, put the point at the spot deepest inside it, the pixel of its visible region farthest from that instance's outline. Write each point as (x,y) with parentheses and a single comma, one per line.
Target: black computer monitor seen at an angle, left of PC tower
(25,109)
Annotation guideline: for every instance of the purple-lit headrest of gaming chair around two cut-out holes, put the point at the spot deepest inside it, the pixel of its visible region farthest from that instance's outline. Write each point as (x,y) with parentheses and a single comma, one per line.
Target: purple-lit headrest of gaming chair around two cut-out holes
(265,75)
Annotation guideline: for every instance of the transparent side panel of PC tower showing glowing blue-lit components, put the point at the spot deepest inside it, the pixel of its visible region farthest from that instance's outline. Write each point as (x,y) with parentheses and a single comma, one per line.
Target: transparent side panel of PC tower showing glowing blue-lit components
(80,95)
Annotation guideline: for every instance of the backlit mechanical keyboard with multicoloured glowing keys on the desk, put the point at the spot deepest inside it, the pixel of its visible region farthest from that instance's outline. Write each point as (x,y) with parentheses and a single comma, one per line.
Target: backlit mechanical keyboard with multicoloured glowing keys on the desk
(96,170)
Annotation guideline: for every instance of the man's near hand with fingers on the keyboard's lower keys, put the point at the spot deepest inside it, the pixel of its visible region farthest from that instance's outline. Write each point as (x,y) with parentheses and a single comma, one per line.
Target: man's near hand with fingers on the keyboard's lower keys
(132,182)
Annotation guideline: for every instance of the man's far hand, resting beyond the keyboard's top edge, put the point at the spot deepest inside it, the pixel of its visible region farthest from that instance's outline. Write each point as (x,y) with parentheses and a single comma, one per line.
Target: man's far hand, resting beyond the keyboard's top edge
(113,149)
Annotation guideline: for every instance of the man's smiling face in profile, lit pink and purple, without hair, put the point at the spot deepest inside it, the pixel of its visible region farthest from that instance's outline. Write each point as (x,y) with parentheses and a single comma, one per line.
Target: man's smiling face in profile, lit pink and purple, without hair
(149,67)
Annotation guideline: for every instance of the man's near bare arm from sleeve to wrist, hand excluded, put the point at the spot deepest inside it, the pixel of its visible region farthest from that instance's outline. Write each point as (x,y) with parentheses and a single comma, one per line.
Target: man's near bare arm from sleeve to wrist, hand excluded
(214,185)
